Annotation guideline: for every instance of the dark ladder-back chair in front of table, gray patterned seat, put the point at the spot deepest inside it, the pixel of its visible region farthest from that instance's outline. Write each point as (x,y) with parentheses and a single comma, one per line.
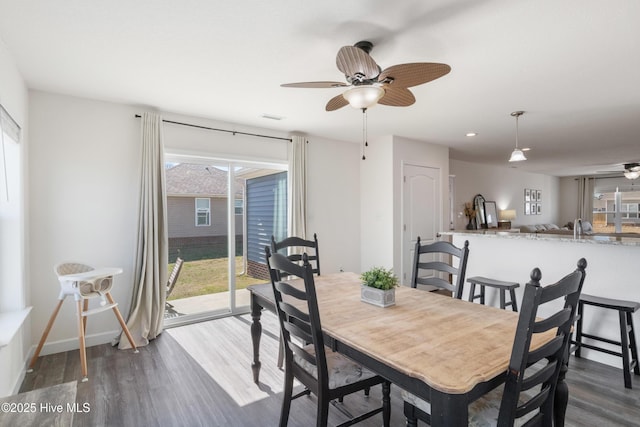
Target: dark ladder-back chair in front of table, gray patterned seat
(327,374)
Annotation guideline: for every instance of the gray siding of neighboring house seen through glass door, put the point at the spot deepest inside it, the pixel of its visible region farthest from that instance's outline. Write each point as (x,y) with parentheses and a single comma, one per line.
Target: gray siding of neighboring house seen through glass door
(182,223)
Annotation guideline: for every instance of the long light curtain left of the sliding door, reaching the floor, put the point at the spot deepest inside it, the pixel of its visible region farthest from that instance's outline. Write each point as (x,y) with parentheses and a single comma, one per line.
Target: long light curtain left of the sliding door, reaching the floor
(147,305)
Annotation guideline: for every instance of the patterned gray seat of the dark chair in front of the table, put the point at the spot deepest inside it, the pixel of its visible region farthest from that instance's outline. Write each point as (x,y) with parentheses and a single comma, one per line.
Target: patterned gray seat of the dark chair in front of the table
(342,370)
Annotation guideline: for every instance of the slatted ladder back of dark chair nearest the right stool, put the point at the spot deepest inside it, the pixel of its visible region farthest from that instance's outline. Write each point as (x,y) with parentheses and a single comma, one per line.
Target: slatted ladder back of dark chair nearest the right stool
(525,373)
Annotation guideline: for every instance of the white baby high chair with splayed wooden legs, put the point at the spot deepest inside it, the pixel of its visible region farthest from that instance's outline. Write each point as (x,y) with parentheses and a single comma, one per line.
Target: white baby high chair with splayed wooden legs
(84,283)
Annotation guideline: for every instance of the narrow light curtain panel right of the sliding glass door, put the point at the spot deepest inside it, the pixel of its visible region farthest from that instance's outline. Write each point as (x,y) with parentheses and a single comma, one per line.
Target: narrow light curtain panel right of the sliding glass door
(297,210)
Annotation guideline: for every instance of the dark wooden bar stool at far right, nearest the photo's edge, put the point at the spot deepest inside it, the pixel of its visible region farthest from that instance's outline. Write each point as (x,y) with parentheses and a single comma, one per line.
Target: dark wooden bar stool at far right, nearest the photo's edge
(627,341)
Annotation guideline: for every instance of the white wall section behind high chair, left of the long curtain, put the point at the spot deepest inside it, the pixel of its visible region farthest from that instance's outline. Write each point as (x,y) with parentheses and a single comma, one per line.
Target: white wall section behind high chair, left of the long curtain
(83,166)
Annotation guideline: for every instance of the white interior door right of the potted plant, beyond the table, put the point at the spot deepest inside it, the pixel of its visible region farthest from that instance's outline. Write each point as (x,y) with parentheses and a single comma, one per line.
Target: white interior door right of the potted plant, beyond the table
(421,210)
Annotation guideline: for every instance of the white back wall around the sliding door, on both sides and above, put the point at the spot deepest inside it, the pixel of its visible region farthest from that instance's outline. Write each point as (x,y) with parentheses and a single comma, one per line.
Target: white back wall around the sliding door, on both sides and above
(84,183)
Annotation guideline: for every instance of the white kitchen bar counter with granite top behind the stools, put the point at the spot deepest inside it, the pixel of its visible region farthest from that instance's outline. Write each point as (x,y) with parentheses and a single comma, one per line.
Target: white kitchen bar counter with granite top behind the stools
(613,269)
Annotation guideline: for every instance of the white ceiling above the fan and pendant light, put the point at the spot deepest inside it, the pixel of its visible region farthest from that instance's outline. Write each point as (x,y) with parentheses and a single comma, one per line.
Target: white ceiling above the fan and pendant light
(572,66)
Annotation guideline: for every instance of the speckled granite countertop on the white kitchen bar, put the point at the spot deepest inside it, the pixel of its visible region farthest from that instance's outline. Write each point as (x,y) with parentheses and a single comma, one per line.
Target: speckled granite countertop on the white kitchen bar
(507,234)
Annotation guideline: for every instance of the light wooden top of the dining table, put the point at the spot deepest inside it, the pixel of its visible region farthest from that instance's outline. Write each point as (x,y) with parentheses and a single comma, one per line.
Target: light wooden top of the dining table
(452,345)
